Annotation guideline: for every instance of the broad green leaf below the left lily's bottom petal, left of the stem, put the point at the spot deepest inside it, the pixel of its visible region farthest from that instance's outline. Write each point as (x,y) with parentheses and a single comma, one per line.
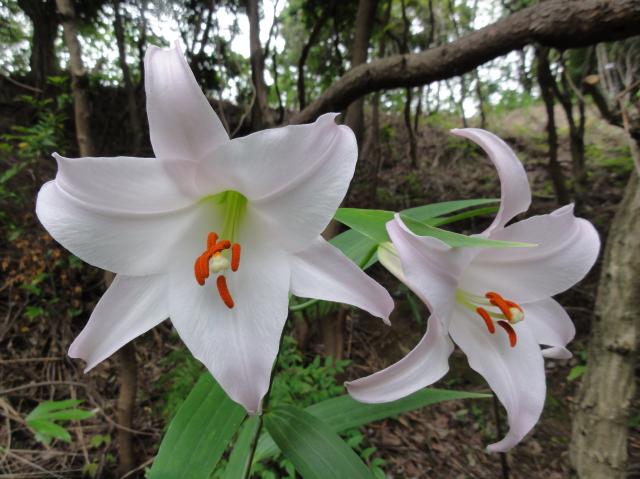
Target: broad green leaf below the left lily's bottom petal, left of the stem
(199,433)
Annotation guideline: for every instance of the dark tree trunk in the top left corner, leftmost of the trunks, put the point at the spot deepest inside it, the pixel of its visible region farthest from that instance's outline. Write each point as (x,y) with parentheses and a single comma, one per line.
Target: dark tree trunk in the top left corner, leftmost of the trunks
(43,60)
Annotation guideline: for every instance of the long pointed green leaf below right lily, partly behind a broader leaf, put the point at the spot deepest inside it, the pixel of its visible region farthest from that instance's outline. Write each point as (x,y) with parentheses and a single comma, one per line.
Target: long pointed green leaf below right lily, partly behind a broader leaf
(343,412)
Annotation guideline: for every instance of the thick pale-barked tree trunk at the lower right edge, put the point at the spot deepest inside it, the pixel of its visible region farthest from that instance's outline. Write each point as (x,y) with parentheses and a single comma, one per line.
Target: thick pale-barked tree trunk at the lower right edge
(600,423)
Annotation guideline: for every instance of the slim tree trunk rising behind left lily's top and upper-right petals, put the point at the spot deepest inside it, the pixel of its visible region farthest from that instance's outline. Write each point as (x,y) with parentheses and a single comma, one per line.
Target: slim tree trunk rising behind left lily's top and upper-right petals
(260,113)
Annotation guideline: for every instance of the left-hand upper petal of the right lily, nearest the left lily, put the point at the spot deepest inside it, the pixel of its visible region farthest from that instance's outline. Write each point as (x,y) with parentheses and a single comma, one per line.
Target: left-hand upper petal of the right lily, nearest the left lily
(430,267)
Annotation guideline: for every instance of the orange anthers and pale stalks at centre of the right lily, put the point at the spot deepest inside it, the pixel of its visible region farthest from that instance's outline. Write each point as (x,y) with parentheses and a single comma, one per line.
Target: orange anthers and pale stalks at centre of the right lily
(493,308)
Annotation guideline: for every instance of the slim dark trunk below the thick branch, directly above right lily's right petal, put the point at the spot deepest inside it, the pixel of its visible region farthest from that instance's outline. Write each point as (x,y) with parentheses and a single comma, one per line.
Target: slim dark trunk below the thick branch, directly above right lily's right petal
(545,80)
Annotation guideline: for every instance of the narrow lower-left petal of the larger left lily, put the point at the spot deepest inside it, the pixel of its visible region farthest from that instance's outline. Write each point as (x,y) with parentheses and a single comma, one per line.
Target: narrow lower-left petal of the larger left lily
(130,307)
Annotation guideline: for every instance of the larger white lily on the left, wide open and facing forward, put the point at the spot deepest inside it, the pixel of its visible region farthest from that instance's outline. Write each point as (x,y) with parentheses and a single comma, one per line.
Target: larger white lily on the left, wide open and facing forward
(213,233)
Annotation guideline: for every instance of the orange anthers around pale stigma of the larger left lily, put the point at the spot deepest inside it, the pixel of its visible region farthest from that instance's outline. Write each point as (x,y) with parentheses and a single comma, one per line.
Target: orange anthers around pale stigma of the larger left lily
(215,260)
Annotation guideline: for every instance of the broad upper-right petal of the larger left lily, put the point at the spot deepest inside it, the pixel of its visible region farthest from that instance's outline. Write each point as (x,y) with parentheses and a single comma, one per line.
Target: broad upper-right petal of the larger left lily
(294,177)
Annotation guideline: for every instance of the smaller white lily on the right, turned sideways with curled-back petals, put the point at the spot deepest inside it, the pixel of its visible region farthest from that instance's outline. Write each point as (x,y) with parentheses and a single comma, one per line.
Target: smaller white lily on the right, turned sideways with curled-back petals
(494,303)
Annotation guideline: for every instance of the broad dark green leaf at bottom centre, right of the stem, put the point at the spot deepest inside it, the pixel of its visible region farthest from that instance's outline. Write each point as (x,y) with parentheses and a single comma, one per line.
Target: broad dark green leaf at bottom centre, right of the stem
(312,446)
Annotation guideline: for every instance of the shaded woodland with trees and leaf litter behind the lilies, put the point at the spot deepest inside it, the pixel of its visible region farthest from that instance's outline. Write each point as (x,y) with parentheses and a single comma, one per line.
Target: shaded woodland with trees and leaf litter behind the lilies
(558,80)
